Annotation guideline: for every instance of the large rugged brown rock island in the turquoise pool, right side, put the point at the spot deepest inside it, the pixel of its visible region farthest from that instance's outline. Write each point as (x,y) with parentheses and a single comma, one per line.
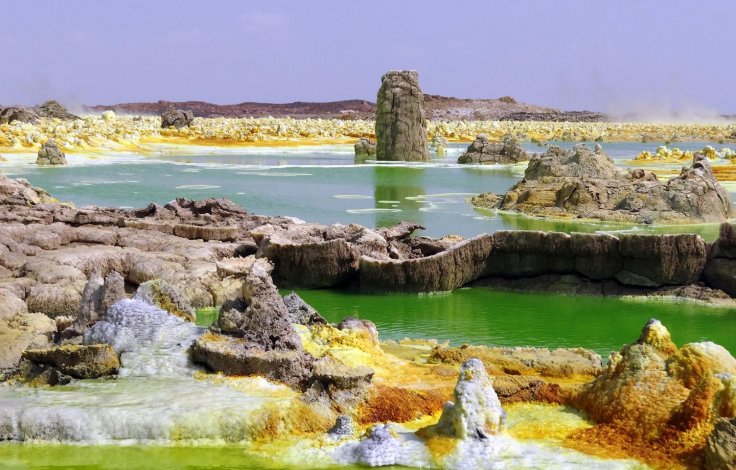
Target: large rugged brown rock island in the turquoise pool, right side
(586,184)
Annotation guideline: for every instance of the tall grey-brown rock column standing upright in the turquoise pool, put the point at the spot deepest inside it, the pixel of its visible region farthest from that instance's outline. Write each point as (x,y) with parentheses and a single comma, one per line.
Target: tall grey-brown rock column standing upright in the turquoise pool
(401,128)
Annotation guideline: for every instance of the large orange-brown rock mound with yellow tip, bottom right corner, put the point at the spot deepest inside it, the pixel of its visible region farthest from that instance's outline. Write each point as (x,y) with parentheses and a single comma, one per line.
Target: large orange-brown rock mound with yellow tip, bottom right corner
(651,392)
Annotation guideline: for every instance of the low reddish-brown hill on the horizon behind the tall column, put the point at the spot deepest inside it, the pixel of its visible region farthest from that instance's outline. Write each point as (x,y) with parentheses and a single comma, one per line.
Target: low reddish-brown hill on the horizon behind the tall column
(439,108)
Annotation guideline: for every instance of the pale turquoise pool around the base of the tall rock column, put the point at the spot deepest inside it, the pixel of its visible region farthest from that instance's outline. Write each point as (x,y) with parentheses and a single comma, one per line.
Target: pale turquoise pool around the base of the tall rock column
(317,184)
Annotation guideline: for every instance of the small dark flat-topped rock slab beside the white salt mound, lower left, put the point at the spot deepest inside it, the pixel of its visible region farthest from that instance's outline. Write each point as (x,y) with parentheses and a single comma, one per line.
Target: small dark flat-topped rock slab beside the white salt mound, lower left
(78,361)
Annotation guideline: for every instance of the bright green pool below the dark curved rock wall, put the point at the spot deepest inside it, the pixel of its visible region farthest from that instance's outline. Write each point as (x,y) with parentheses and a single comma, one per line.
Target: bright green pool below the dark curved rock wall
(500,318)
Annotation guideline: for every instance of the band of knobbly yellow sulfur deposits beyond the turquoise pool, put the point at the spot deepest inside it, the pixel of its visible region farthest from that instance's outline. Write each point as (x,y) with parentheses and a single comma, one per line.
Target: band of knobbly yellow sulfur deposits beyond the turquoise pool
(142,134)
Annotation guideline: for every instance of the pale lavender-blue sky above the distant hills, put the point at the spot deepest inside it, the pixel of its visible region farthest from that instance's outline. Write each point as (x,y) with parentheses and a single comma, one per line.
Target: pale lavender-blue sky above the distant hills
(620,56)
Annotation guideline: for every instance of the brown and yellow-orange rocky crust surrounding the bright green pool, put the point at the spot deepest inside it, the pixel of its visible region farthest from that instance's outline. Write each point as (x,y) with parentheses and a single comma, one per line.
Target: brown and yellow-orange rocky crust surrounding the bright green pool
(79,288)
